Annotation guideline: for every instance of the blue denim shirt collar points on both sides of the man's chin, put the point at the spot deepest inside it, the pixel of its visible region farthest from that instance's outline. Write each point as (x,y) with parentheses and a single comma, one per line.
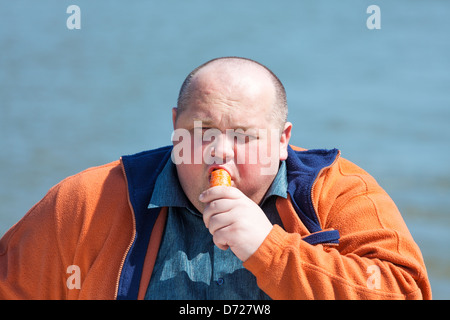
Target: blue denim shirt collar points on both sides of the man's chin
(169,193)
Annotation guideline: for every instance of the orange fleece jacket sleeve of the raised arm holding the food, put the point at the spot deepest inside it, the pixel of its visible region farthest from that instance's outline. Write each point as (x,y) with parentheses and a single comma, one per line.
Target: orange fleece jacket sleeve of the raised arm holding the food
(376,257)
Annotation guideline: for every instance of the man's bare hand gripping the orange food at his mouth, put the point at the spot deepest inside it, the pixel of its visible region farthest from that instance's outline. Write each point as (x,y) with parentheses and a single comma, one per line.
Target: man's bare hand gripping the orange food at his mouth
(234,220)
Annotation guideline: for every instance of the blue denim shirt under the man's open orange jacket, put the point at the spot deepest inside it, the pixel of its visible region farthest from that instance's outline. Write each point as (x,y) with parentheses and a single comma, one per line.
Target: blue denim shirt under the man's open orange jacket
(188,264)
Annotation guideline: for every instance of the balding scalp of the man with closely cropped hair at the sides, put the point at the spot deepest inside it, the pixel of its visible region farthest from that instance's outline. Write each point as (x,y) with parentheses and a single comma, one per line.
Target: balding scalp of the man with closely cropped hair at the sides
(239,76)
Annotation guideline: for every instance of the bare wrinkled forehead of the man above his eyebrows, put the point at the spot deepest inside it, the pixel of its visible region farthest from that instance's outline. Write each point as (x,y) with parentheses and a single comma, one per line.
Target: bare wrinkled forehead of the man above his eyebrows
(237,99)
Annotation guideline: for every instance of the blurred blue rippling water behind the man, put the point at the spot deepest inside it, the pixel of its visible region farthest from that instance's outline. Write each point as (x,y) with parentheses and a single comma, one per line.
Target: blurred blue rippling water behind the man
(72,99)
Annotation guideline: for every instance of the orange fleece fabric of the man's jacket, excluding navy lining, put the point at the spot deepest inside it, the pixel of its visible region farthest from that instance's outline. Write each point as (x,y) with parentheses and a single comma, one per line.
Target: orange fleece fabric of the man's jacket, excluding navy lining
(86,221)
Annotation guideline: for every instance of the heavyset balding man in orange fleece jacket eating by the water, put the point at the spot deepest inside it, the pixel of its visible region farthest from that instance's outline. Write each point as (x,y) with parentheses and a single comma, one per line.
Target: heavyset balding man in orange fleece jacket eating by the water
(295,224)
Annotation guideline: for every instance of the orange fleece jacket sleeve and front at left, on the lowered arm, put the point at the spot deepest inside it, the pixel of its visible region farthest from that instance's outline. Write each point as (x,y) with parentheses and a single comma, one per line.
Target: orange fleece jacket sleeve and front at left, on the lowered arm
(71,243)
